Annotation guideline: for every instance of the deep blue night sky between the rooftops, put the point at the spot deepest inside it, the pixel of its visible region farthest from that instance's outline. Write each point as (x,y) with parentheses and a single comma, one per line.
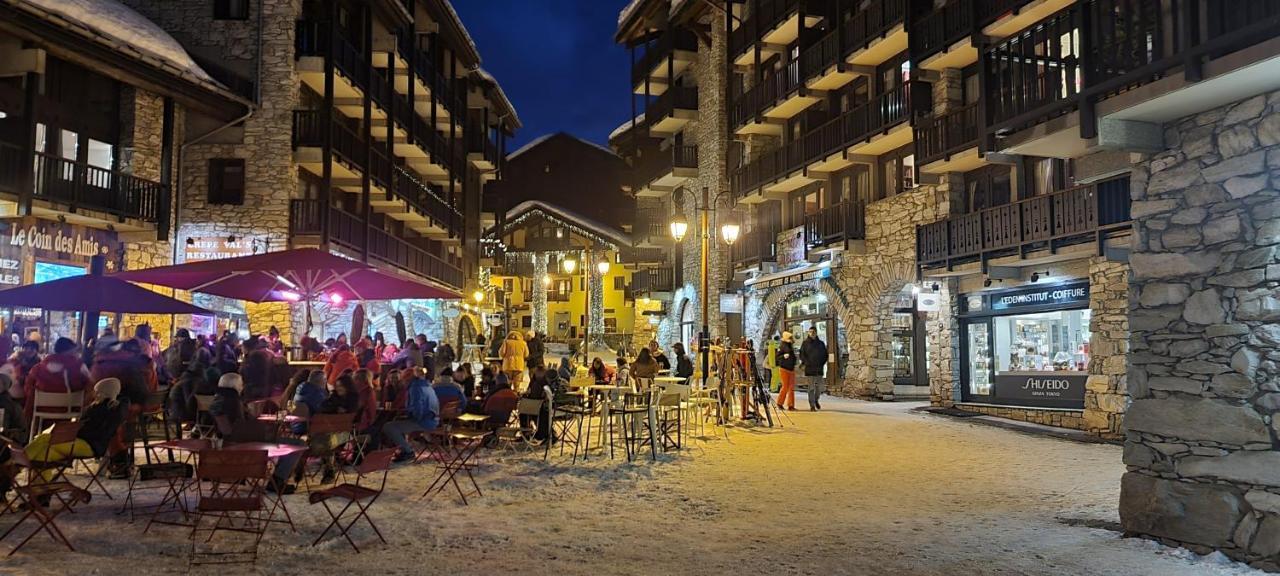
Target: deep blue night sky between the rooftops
(557,62)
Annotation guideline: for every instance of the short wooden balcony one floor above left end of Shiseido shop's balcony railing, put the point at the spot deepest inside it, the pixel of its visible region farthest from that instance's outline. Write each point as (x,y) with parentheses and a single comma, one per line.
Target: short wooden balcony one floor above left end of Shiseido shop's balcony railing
(949,143)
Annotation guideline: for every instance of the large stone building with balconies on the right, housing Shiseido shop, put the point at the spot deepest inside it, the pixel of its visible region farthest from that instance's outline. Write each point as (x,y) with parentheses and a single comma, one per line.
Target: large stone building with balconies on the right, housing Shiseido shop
(1048,211)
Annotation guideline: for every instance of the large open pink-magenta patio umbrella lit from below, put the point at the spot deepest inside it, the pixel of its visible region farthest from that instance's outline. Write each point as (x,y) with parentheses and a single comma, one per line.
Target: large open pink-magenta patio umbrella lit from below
(290,276)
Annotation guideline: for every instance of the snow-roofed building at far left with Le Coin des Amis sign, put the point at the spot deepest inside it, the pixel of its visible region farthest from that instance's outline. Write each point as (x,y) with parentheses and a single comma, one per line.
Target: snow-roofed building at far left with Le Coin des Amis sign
(97,106)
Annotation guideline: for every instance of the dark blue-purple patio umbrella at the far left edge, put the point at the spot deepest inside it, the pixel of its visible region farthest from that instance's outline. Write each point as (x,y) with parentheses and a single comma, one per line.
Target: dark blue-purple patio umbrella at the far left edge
(95,294)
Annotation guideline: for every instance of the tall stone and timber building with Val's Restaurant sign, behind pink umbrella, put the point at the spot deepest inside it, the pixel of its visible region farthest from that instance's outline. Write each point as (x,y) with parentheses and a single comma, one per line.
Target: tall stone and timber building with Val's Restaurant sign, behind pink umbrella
(373,134)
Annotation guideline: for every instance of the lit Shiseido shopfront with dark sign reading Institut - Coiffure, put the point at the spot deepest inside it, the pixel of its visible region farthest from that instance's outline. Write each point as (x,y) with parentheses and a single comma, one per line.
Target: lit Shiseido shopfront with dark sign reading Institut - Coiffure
(1027,348)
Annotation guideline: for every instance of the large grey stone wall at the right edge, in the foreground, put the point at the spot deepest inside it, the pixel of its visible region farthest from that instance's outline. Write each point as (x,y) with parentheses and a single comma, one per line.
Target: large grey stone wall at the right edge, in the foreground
(1201,442)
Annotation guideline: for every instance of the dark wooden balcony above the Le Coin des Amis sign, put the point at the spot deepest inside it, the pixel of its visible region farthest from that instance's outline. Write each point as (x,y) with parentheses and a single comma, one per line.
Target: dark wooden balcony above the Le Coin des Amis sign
(85,191)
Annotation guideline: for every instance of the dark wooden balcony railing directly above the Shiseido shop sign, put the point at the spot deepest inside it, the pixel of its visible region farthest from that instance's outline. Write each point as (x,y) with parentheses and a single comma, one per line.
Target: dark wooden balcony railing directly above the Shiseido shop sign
(1069,217)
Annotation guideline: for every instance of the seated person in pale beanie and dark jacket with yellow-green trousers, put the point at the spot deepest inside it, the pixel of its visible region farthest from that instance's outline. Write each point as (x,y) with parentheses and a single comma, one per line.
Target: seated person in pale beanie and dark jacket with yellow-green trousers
(99,423)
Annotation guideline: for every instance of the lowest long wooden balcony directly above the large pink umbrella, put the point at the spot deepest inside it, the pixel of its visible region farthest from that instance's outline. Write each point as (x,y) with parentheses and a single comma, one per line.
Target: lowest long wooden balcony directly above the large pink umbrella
(349,232)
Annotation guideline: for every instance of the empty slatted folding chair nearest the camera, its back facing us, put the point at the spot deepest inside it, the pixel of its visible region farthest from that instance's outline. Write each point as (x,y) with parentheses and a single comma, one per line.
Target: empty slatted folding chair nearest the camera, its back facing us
(236,500)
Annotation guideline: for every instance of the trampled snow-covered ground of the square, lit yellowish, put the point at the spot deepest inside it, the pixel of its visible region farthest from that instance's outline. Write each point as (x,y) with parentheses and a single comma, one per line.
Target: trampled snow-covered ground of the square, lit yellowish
(861,490)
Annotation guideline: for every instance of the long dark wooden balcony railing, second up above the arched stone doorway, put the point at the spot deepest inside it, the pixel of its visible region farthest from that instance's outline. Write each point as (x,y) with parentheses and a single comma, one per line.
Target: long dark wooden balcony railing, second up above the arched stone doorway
(881,113)
